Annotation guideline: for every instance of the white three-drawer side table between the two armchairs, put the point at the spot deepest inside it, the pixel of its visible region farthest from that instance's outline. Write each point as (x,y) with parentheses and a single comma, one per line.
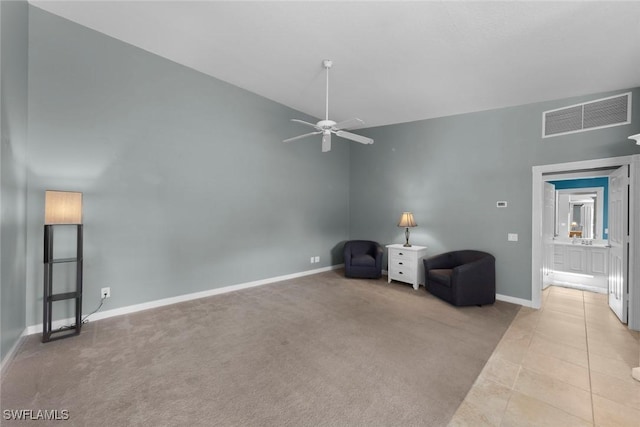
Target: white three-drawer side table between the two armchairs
(405,264)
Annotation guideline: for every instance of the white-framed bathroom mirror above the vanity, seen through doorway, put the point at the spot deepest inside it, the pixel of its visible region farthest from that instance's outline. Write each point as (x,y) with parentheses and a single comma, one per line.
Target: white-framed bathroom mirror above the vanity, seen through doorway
(580,213)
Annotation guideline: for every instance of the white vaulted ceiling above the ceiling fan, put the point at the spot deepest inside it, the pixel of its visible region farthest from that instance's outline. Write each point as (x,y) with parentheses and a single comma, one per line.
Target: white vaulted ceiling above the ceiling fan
(393,61)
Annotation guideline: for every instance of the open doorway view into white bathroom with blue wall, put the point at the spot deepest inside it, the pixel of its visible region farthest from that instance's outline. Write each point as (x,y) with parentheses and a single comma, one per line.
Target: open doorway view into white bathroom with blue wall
(586,214)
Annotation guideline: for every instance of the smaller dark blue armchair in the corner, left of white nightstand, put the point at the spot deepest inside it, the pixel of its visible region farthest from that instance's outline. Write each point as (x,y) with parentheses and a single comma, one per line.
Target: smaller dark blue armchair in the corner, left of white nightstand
(363,259)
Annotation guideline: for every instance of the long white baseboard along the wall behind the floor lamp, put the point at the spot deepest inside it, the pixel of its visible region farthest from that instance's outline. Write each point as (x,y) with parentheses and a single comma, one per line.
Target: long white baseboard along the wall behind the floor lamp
(35,329)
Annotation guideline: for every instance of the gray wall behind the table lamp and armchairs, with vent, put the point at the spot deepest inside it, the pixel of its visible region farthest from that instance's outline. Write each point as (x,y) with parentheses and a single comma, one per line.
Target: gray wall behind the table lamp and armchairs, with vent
(450,172)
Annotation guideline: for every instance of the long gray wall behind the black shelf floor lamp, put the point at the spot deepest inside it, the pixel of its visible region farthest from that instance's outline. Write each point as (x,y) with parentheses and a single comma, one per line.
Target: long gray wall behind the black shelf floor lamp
(187,183)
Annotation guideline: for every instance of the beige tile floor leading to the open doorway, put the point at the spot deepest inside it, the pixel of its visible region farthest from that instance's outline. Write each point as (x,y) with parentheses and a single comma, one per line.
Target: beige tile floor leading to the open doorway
(567,364)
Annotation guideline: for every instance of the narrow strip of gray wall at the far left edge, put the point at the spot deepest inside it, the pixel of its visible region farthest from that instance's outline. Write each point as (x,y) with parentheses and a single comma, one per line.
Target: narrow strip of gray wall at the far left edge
(13,122)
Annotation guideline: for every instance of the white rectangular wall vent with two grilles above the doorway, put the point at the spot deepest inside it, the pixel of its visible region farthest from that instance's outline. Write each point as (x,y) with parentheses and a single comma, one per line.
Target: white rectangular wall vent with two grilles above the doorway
(601,113)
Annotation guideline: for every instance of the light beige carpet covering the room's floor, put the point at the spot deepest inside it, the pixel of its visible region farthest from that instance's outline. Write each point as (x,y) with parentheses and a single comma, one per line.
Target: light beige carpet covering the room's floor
(315,351)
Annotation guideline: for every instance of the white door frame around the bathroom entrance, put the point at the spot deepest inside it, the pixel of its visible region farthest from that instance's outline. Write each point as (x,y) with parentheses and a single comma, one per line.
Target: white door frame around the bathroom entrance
(537,246)
